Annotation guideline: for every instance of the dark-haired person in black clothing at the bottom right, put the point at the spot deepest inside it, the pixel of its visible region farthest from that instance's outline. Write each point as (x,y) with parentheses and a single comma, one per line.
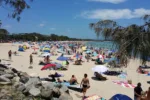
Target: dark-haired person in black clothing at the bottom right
(137,91)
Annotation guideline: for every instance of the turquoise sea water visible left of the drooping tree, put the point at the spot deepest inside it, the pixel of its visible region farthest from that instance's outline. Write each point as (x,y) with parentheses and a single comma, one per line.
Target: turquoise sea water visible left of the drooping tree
(104,44)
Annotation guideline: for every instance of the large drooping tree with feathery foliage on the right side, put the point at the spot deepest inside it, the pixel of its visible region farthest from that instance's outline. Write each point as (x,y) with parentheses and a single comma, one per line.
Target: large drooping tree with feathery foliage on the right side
(132,40)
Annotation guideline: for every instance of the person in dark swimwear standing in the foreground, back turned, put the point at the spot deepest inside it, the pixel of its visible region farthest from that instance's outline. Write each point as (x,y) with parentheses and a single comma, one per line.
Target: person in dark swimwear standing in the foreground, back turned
(85,84)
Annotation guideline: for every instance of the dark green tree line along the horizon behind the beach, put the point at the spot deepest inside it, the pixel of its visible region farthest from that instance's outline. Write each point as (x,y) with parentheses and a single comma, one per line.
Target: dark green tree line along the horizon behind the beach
(5,35)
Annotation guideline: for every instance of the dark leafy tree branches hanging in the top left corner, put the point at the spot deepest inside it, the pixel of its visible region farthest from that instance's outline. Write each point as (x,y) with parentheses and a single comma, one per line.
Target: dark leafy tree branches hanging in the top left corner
(17,7)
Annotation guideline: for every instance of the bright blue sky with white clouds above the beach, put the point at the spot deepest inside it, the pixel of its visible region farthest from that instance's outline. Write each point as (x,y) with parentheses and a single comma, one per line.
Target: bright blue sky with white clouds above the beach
(72,17)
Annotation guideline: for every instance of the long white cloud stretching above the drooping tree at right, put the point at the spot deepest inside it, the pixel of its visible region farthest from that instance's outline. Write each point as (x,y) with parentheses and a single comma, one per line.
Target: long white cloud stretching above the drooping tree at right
(115,13)
